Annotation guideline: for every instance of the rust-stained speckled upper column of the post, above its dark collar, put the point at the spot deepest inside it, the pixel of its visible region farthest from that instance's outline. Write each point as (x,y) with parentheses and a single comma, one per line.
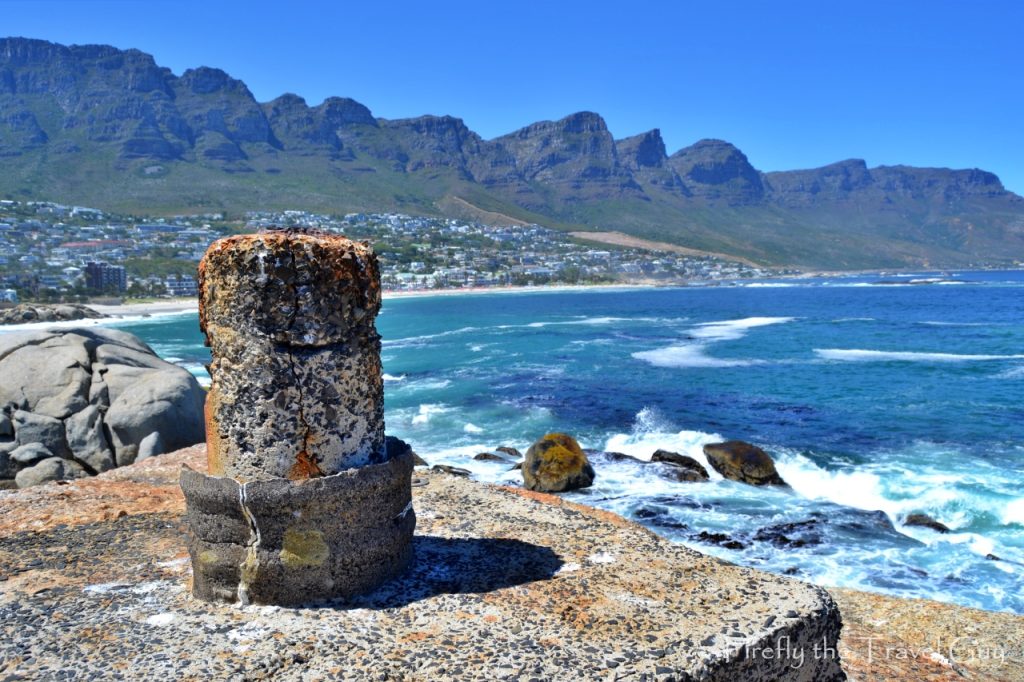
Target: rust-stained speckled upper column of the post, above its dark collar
(297,391)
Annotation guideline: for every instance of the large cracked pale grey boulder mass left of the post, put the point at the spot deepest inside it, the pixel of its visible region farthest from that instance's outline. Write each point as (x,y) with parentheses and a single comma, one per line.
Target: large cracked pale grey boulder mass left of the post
(79,402)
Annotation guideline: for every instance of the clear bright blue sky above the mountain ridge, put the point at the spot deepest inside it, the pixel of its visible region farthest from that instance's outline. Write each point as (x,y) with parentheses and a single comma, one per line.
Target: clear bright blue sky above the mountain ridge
(793,84)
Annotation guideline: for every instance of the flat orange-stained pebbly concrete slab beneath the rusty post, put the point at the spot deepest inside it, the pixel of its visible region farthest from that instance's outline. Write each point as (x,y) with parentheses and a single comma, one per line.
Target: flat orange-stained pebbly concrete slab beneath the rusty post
(505,584)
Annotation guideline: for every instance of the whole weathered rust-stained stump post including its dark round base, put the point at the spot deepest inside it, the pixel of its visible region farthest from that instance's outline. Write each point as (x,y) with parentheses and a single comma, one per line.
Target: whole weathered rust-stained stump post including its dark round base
(307,500)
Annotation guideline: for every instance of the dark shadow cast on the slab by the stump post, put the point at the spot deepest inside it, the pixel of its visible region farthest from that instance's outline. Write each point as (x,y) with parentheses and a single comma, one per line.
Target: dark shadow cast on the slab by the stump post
(462,566)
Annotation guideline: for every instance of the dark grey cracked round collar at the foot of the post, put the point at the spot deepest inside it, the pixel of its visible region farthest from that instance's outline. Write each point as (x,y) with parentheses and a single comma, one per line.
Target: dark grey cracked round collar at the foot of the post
(284,542)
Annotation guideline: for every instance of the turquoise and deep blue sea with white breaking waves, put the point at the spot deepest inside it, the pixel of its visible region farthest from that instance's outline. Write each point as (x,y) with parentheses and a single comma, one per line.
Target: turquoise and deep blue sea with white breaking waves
(878,398)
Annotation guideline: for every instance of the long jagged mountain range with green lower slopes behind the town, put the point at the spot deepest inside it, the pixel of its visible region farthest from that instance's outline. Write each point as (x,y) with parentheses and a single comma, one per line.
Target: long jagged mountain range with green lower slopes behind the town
(105,127)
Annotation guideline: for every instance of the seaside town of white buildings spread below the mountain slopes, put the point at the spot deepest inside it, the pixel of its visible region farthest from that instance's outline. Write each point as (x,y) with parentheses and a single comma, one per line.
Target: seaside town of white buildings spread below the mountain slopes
(50,251)
